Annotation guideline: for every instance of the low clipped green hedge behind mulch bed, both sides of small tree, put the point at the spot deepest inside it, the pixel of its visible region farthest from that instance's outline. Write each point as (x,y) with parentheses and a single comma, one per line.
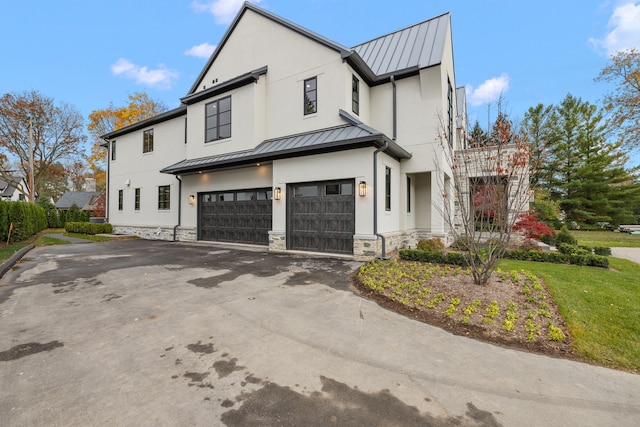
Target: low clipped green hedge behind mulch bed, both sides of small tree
(457,258)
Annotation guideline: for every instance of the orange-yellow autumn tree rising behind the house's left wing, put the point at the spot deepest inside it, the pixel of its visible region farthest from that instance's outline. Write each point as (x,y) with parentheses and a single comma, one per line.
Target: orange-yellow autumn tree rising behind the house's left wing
(140,107)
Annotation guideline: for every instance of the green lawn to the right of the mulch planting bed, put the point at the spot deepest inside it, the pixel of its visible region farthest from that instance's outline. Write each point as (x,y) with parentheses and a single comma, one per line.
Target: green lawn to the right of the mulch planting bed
(600,307)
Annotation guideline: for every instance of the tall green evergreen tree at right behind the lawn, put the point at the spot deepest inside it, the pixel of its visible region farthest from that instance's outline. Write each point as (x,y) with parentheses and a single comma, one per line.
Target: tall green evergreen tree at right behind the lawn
(583,171)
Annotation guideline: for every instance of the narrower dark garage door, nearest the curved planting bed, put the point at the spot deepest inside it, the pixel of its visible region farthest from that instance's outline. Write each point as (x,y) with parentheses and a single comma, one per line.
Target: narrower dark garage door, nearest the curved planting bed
(321,216)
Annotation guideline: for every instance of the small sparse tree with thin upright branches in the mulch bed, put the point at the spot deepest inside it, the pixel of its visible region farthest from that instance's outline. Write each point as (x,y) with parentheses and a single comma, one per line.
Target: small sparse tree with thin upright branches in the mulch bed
(490,187)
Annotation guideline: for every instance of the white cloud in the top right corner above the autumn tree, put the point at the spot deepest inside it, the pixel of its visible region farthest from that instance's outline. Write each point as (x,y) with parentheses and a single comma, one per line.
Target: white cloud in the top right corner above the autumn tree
(624,29)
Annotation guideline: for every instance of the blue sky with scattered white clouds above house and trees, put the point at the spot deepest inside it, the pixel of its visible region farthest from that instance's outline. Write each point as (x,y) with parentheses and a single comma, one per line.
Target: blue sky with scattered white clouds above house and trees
(92,53)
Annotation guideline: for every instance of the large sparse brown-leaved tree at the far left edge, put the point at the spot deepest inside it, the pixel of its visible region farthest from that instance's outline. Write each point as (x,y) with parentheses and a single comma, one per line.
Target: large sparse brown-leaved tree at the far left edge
(56,129)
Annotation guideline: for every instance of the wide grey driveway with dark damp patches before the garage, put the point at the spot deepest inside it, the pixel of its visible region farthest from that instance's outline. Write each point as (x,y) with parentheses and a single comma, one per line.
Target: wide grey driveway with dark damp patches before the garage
(158,333)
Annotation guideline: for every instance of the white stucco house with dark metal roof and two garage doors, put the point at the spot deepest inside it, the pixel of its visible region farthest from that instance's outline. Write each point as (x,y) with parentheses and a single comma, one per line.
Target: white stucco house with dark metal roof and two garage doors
(294,142)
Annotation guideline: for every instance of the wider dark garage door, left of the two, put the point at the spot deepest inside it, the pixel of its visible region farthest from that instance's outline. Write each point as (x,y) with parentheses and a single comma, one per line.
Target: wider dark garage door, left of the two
(242,216)
